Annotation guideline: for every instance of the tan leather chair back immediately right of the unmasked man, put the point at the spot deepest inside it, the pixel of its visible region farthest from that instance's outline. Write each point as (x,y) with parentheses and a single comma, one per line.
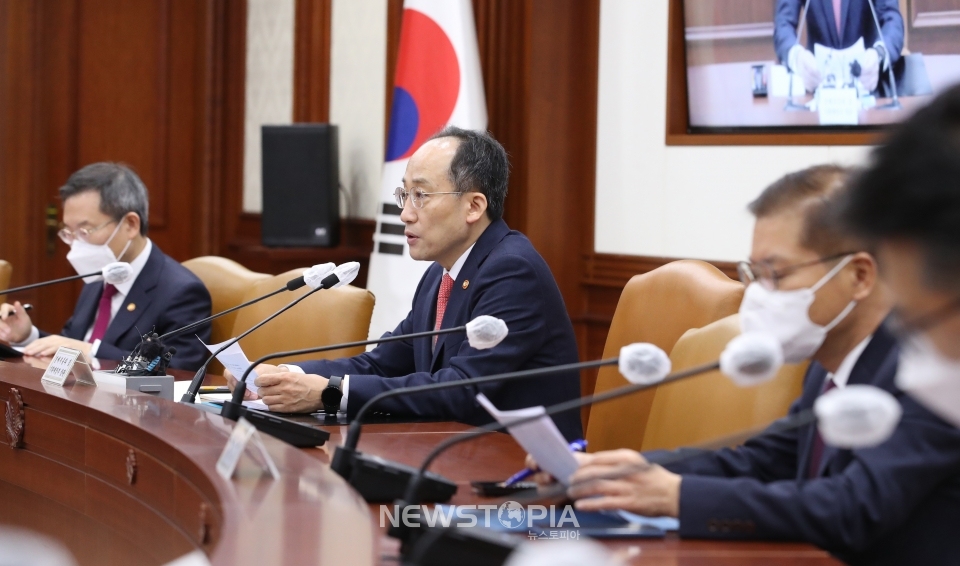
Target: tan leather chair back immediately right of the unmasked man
(656,307)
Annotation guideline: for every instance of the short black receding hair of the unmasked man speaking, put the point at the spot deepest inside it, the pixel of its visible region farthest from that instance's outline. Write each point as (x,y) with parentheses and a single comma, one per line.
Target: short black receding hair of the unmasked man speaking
(479,164)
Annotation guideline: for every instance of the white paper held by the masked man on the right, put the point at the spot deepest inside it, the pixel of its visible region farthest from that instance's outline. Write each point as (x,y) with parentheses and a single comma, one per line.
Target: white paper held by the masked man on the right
(540,438)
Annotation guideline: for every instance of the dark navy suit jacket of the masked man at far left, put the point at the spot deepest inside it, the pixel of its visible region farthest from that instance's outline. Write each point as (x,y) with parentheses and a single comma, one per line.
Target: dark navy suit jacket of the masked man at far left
(166,296)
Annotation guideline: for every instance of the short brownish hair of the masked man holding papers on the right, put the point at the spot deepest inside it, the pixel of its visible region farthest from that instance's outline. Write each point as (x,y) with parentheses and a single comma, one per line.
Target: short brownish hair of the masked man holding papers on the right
(815,190)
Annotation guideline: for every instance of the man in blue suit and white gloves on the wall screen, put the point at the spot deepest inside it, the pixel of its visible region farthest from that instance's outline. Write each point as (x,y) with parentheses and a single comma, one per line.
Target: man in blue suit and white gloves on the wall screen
(838,24)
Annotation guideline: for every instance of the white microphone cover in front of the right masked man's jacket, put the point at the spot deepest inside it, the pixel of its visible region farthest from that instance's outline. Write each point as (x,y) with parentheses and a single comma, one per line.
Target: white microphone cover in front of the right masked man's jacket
(857,416)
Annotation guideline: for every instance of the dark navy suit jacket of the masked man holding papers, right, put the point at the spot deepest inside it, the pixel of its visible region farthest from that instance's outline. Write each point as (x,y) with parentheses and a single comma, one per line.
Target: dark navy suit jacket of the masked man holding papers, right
(896,503)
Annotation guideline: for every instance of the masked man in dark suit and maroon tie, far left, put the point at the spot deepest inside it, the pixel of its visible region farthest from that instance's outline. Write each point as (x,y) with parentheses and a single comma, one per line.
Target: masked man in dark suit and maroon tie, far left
(105,218)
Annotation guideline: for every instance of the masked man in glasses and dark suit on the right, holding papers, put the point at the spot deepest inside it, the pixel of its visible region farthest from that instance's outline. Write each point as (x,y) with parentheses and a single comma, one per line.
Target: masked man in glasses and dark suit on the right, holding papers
(896,503)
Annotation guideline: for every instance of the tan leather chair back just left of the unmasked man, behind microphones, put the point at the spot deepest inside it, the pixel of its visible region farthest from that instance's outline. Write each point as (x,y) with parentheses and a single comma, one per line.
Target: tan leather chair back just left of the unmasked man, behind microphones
(331,316)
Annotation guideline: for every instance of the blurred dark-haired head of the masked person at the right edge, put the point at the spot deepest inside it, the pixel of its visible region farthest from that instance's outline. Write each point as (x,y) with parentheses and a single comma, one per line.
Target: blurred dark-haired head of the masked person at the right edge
(908,204)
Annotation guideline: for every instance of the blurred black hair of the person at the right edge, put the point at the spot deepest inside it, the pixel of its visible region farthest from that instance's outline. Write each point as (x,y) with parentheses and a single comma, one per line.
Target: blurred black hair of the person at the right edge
(911,189)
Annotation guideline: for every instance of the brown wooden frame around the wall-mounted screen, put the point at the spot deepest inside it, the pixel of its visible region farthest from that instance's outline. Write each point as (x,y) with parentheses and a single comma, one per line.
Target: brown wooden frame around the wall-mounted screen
(678,119)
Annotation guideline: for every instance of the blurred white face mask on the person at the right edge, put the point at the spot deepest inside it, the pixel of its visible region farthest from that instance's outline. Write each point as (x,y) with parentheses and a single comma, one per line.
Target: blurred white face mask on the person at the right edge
(930,377)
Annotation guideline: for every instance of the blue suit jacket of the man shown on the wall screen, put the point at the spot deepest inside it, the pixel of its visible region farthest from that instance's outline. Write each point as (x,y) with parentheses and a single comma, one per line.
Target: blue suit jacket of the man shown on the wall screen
(822,28)
